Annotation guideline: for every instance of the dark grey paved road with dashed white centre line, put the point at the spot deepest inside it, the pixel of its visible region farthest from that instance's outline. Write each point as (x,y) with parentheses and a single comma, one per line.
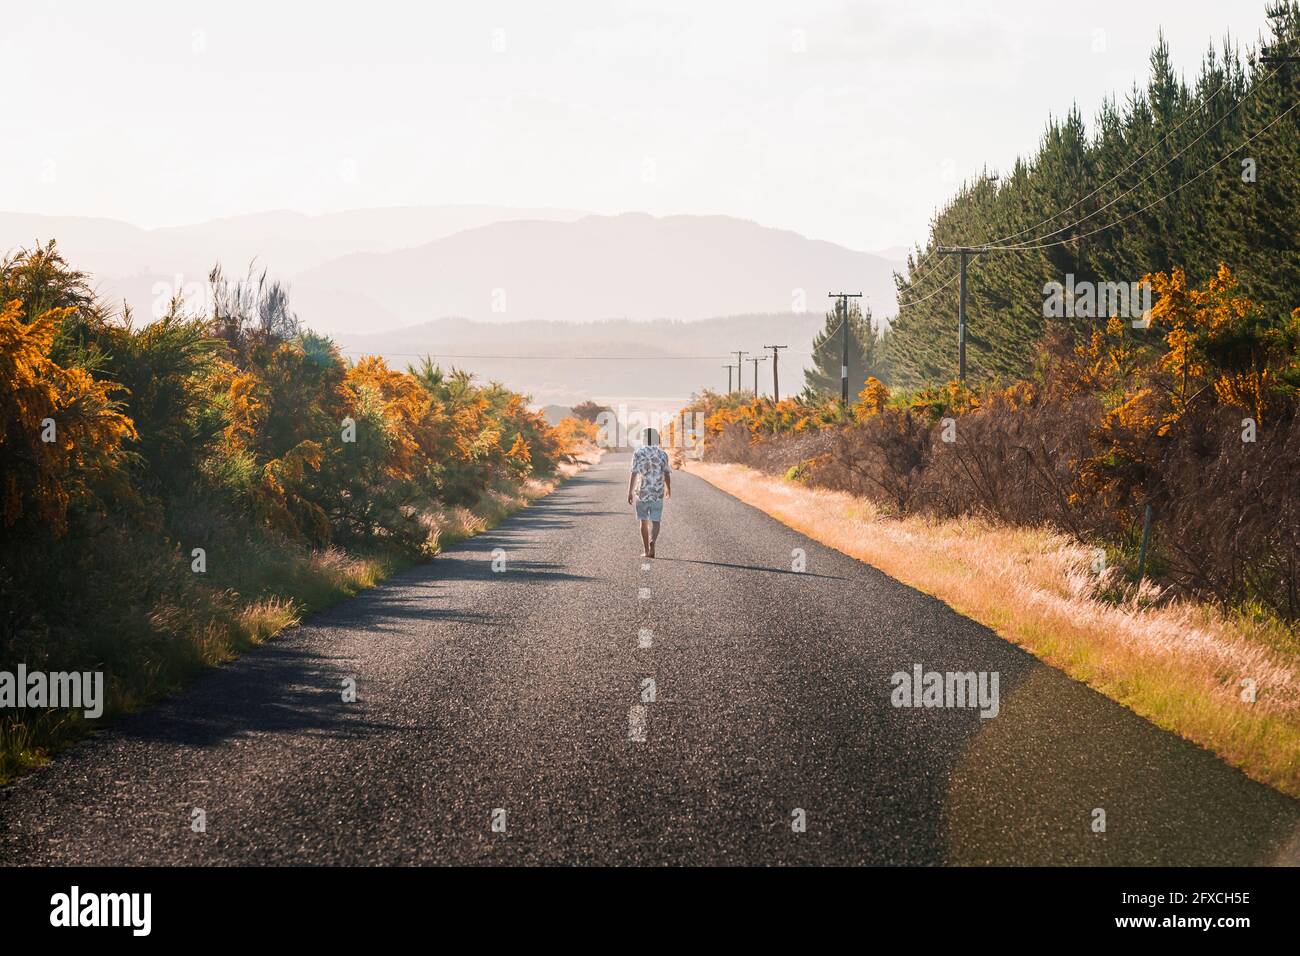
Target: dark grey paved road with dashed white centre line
(483,690)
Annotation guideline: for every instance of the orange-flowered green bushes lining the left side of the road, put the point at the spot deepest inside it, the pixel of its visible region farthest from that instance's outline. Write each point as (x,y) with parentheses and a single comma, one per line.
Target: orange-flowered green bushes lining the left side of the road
(179,491)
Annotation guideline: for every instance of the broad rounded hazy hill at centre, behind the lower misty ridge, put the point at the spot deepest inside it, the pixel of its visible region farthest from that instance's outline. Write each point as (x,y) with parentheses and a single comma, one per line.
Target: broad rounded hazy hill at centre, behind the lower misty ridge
(603,267)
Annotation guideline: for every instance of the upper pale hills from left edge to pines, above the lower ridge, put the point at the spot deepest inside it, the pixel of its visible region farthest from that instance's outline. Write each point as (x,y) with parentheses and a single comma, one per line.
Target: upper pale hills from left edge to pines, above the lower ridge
(372,270)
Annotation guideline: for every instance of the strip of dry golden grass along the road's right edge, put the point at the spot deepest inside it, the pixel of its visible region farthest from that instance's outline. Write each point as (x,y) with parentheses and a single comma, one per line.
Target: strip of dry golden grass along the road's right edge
(1181,665)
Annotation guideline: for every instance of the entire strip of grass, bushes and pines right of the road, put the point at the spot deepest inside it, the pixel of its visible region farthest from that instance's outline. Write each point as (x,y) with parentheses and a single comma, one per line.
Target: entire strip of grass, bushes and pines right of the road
(1120,495)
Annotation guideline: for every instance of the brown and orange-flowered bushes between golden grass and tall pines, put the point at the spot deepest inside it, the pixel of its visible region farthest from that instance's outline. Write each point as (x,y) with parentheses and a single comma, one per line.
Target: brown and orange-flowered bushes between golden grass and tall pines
(1195,418)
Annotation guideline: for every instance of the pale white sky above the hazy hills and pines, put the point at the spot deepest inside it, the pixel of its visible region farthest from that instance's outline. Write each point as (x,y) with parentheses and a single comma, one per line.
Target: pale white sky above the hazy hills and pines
(844,122)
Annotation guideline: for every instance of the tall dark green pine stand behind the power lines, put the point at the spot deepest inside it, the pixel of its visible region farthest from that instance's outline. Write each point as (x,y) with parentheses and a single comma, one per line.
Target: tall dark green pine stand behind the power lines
(1172,174)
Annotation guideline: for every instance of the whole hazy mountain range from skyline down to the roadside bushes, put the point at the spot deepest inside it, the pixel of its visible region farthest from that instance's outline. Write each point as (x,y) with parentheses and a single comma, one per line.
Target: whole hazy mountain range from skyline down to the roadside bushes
(556,302)
